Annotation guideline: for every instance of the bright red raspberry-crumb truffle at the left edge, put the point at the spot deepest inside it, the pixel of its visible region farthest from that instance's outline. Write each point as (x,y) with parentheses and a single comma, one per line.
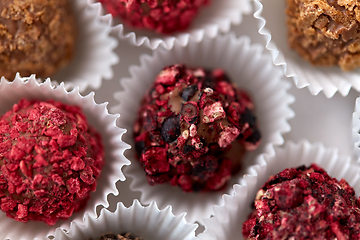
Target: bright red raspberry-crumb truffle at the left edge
(50,159)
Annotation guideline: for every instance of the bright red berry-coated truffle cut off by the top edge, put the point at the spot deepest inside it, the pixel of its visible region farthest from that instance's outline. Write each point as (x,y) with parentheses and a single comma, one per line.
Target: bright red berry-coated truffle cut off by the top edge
(162,16)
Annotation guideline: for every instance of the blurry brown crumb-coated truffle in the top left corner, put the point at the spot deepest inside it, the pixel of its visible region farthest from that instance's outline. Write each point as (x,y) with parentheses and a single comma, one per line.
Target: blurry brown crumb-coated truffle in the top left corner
(36,37)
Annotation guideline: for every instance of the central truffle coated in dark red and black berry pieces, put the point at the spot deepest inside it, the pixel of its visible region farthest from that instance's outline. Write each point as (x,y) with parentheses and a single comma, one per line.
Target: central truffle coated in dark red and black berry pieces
(193,128)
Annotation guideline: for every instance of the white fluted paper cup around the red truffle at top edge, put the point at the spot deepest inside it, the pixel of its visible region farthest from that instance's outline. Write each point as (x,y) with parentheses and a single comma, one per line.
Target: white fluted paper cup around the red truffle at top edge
(215,18)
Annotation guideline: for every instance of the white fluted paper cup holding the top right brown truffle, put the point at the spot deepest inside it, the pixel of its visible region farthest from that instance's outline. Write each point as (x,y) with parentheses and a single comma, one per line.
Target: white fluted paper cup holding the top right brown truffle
(272,26)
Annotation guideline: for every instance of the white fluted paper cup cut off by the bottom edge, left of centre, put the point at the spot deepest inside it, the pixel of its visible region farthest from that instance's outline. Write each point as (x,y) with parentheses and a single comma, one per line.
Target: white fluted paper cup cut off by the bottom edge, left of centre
(147,222)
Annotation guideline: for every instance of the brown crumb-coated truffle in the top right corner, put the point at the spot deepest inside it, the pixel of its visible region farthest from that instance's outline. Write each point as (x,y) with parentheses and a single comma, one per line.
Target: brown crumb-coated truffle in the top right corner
(325,32)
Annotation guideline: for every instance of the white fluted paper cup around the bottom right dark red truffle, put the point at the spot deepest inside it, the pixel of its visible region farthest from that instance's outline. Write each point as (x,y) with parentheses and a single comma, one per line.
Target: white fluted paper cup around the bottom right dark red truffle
(228,219)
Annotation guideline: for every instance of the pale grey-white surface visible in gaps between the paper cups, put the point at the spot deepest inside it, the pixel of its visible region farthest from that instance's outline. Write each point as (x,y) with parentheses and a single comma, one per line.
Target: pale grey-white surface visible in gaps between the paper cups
(317,118)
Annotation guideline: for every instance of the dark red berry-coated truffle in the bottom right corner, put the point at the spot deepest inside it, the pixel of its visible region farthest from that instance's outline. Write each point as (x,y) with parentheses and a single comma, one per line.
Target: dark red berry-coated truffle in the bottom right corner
(304,203)
